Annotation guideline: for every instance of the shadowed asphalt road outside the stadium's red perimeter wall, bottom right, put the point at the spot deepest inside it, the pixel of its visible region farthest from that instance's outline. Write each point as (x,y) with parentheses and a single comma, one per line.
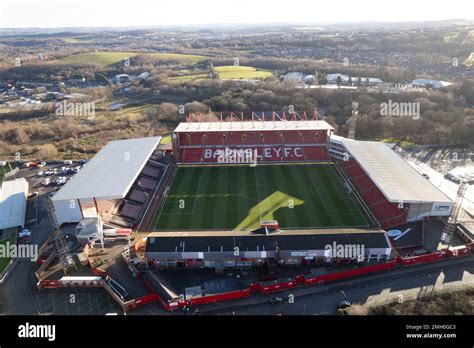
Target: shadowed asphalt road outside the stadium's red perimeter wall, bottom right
(323,299)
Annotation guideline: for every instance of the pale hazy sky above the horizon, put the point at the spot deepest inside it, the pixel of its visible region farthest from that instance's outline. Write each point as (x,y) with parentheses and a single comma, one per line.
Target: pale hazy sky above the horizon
(117,13)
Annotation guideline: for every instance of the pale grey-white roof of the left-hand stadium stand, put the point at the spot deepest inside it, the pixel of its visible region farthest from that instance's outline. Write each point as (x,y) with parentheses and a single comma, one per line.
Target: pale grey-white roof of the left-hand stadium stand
(111,172)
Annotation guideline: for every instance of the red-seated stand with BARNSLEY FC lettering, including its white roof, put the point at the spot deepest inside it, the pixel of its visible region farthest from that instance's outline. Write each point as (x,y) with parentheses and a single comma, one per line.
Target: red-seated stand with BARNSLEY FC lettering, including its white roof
(274,141)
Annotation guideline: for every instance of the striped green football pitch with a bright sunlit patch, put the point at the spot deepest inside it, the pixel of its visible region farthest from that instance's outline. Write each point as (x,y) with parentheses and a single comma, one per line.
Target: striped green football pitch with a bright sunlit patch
(239,197)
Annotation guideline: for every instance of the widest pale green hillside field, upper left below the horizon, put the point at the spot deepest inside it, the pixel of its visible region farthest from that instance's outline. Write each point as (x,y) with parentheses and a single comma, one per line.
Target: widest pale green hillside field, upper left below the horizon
(109,58)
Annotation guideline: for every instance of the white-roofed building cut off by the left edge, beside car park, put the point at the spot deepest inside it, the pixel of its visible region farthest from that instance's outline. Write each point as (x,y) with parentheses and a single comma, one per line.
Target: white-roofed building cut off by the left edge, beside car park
(13,203)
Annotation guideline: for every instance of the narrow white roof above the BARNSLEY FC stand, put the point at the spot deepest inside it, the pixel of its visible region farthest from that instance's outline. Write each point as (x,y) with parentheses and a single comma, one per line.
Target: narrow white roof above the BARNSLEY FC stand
(256,125)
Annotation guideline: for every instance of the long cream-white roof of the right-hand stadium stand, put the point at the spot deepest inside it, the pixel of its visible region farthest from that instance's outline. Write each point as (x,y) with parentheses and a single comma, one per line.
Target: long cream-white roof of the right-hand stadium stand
(392,175)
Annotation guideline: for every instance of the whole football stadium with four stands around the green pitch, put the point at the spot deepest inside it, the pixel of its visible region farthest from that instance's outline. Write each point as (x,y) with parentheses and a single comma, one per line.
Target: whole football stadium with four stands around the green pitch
(255,188)
